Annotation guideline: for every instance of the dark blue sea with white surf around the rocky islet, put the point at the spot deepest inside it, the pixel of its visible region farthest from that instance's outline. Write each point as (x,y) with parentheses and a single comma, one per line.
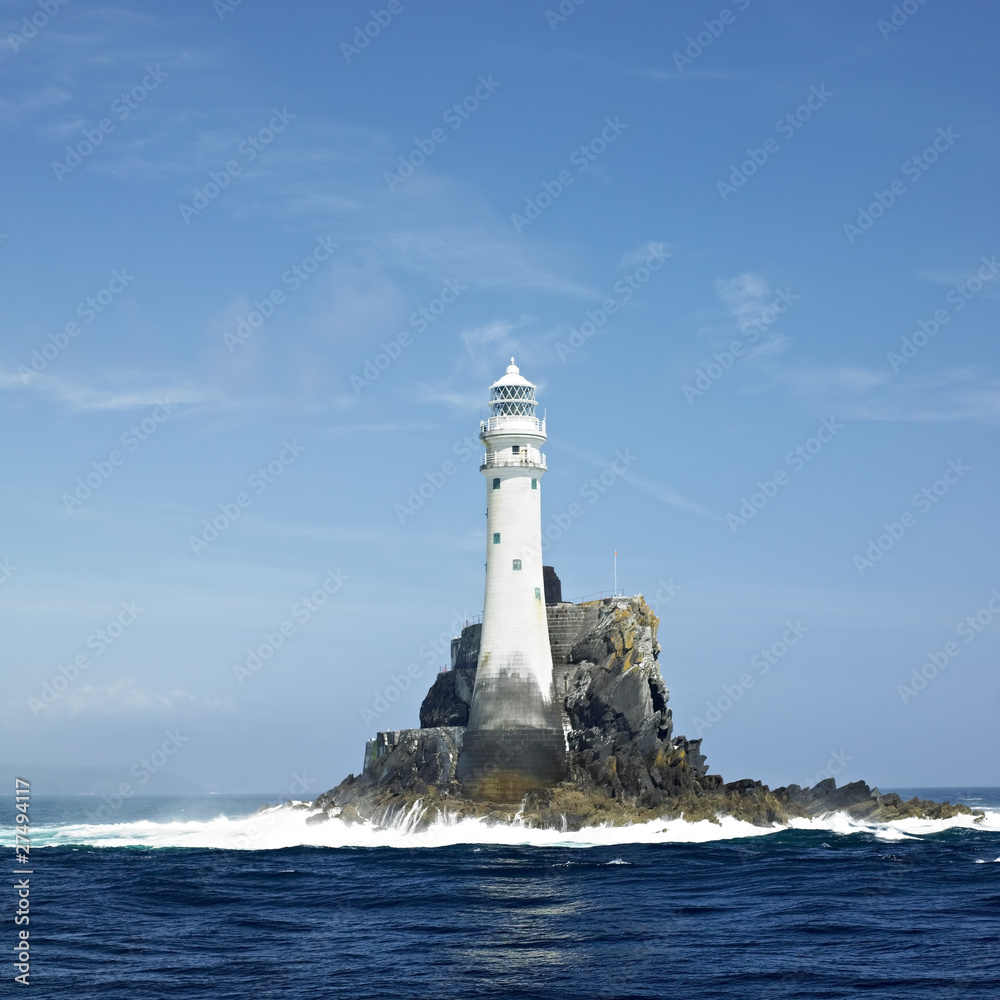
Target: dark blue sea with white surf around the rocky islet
(211,896)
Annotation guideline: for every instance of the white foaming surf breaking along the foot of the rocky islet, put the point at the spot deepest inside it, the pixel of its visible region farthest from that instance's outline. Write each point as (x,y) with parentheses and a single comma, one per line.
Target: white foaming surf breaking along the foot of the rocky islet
(297,825)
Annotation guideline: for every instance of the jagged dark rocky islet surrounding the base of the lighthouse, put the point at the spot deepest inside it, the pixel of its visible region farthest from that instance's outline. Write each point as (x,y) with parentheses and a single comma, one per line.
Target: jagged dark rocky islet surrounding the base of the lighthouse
(625,764)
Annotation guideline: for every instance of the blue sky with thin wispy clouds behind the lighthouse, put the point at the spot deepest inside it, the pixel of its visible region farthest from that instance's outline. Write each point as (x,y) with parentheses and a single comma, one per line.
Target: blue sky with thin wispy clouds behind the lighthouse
(754,253)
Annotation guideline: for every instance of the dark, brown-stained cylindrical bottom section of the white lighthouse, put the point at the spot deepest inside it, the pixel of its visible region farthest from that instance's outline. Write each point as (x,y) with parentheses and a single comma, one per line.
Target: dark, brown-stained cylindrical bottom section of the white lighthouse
(502,765)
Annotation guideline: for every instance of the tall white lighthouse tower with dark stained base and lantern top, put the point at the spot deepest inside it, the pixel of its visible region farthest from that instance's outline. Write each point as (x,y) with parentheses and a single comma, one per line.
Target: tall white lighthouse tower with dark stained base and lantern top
(514,739)
